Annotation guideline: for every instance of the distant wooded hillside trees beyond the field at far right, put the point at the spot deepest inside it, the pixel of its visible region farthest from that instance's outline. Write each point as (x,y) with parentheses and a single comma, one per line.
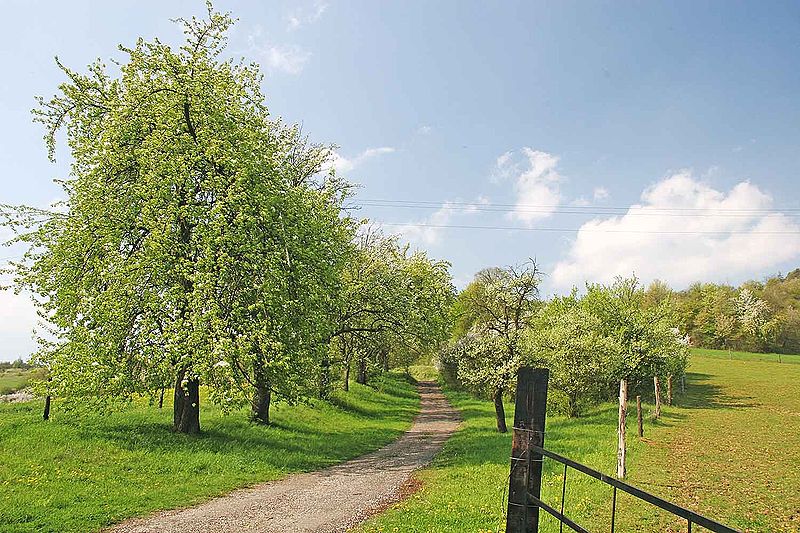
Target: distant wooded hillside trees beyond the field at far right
(756,316)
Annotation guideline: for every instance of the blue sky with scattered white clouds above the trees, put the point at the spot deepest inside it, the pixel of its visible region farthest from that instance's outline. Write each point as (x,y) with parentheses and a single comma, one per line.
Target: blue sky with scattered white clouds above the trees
(658,139)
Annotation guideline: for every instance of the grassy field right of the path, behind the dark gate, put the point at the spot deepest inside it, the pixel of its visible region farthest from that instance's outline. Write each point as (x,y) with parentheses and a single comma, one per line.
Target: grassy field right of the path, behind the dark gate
(728,448)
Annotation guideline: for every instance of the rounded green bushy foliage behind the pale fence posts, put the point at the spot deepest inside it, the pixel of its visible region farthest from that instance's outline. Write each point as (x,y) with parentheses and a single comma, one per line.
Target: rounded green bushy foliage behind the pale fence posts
(591,342)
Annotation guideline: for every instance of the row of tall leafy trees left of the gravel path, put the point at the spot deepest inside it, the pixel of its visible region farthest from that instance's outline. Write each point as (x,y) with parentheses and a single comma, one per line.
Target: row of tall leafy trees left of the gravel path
(201,242)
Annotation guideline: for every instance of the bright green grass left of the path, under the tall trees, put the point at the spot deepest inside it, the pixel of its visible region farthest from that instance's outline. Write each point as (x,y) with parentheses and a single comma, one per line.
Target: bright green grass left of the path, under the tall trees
(80,473)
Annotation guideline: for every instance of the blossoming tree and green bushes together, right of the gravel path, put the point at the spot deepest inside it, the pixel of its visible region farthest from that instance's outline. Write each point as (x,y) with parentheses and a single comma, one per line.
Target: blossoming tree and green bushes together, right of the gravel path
(589,342)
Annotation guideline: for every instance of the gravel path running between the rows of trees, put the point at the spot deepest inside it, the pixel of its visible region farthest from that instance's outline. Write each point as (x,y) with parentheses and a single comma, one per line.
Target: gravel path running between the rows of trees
(331,500)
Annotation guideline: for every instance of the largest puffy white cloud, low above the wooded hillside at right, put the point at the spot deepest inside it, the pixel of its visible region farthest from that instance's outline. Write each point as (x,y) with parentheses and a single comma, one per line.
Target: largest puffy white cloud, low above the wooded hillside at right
(683,231)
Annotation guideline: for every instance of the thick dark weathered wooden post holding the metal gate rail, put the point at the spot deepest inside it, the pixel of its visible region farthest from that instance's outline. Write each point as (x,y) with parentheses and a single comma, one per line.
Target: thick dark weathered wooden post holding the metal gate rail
(526,466)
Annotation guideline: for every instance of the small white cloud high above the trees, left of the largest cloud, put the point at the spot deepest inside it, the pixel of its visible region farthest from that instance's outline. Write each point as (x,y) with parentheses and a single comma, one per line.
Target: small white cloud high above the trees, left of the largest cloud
(536,183)
